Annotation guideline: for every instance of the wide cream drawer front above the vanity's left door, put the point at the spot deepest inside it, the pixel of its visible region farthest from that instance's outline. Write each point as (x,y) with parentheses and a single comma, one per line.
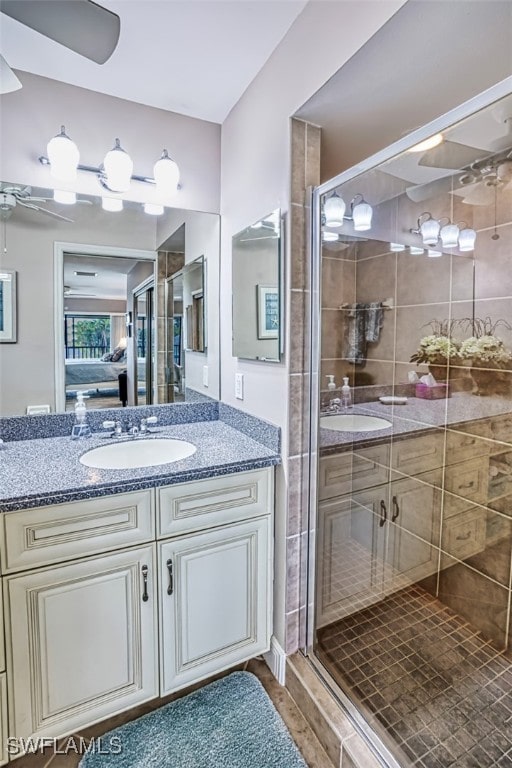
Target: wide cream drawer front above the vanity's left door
(45,535)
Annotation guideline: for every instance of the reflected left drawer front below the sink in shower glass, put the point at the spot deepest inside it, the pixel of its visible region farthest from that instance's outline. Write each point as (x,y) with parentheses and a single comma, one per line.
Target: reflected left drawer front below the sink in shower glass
(346,472)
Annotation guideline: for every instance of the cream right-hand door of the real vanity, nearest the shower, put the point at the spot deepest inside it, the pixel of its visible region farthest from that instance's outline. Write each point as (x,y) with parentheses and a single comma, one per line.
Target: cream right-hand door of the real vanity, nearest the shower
(215,601)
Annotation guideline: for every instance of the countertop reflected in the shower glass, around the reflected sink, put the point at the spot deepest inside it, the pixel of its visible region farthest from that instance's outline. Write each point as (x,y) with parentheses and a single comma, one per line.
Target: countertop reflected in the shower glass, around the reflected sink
(416,416)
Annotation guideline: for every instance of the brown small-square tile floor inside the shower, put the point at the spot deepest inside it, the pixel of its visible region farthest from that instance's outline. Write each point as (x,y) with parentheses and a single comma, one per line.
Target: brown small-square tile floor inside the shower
(436,685)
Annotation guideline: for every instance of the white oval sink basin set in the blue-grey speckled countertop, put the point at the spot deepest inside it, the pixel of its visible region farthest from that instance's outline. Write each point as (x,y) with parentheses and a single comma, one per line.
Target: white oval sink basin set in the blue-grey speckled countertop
(137,453)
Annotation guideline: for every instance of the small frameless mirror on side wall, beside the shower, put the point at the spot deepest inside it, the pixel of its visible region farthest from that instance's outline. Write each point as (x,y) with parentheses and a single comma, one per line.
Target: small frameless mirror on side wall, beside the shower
(257,303)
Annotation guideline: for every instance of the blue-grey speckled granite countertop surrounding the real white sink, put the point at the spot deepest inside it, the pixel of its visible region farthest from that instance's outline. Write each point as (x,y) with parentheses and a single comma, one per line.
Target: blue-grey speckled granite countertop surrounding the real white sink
(52,474)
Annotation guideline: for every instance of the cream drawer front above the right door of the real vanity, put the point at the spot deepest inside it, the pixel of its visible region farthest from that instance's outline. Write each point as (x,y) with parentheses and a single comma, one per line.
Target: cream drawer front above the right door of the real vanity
(207,503)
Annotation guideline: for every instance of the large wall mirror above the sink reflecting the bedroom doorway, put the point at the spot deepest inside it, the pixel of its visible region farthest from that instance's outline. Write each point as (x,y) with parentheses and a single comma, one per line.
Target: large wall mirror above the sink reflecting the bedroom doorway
(92,310)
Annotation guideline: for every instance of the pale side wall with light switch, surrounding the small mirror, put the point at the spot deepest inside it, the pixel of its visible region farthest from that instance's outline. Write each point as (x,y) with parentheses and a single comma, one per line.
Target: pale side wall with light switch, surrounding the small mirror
(255,162)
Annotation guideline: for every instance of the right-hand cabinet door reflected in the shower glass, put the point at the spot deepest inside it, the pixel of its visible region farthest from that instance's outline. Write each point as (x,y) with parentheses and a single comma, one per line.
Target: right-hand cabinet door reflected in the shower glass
(413,530)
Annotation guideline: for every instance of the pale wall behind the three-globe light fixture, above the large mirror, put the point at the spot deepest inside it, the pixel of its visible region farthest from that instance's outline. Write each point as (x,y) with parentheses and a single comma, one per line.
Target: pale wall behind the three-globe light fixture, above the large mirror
(33,114)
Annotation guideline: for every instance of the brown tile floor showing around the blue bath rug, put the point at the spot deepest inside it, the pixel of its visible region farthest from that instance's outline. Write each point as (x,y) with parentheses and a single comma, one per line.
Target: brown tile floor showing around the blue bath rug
(302,734)
